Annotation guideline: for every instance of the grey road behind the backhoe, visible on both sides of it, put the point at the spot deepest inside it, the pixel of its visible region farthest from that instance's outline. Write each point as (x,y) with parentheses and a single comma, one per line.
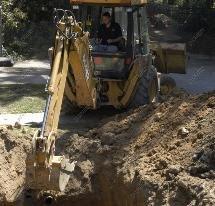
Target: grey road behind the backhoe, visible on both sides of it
(199,78)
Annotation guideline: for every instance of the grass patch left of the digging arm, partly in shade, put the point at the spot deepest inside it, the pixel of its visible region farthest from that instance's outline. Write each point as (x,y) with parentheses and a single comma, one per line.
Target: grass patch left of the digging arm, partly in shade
(26,98)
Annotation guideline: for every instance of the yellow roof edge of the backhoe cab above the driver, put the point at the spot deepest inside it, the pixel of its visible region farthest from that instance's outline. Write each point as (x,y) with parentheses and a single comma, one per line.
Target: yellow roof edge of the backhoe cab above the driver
(110,2)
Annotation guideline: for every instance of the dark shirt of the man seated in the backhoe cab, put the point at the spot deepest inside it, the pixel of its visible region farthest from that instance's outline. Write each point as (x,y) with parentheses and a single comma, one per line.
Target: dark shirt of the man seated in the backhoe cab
(113,32)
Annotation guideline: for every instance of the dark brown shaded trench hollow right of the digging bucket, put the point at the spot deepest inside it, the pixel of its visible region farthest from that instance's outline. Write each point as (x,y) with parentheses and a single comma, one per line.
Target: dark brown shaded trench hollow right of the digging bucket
(109,190)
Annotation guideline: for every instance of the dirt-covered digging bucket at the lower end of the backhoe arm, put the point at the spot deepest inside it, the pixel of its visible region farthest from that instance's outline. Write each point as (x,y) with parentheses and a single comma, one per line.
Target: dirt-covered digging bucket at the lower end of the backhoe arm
(54,175)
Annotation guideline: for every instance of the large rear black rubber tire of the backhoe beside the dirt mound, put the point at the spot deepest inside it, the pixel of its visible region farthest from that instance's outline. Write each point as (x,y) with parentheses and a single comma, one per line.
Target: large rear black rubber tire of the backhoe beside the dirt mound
(142,95)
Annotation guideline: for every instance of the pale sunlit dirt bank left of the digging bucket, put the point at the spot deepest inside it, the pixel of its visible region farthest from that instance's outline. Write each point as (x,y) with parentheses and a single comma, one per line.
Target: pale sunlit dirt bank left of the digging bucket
(13,150)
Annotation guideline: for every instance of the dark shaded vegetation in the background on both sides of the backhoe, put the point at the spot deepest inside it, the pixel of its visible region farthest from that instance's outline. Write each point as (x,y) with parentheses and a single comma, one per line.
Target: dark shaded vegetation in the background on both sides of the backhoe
(28,28)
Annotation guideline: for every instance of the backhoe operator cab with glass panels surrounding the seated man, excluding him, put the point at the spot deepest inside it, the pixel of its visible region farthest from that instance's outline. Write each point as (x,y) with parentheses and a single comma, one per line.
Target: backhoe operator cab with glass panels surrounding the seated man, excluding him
(133,23)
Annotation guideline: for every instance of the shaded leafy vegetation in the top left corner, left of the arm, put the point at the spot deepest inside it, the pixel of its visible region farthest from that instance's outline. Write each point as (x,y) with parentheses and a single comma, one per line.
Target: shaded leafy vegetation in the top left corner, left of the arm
(27,26)
